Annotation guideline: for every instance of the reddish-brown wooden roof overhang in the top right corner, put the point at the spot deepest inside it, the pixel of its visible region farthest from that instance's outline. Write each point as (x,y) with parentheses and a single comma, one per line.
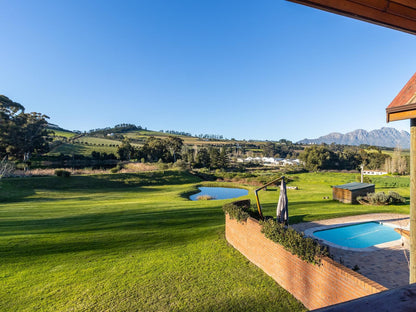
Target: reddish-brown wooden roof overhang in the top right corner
(392,14)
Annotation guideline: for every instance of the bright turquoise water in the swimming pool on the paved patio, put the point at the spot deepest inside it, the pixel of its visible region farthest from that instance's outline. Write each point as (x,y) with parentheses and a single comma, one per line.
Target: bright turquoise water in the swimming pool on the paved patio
(360,235)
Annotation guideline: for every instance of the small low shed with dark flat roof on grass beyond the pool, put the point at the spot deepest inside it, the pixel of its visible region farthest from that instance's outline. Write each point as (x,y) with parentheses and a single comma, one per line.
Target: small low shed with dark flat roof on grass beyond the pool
(348,193)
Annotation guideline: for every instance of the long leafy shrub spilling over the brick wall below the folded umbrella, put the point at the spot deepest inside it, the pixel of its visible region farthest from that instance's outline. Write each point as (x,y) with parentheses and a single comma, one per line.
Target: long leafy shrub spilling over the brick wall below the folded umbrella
(305,248)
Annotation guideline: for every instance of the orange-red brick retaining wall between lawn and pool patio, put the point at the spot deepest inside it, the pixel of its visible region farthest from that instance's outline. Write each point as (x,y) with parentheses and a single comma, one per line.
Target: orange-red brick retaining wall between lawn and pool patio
(316,286)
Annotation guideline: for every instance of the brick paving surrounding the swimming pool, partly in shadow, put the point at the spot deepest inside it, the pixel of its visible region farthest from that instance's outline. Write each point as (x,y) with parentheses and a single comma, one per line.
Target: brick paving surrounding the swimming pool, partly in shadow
(387,266)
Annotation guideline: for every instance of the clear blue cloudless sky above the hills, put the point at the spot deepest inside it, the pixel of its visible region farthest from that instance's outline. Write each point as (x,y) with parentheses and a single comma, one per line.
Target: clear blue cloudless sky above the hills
(267,69)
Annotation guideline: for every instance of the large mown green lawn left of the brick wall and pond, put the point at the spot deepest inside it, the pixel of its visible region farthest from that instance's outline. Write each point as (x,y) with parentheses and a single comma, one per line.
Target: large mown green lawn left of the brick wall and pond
(122,243)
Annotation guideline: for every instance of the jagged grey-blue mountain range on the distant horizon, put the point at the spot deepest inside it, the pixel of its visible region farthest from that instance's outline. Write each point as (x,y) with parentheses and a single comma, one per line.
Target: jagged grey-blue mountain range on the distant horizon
(386,137)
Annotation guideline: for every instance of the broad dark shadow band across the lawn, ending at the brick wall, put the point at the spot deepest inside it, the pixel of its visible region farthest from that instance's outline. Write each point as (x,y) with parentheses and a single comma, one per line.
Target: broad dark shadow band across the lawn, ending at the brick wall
(113,232)
